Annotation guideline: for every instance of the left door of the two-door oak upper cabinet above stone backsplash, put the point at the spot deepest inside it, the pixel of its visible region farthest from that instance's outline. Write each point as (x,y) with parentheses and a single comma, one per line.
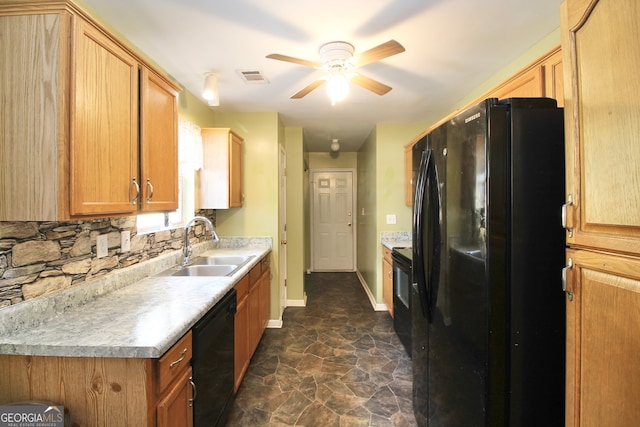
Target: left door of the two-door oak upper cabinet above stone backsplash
(104,125)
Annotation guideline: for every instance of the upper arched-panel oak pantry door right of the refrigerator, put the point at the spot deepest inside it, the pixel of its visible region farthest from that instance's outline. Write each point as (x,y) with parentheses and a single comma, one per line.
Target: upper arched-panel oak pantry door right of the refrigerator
(602,87)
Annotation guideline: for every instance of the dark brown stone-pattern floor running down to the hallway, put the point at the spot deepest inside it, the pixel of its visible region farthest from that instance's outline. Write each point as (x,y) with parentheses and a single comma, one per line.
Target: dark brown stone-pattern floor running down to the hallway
(335,362)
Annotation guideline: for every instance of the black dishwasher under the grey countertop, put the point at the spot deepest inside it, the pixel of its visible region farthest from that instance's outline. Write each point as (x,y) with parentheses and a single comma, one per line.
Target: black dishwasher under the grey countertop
(213,356)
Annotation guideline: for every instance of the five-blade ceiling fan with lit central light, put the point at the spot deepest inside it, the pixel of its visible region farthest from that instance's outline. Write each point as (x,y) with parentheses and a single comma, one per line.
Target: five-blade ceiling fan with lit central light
(338,59)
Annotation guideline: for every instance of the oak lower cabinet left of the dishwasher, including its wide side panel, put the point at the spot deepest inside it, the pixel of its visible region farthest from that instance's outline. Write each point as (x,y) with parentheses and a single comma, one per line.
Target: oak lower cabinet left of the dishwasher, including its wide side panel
(102,391)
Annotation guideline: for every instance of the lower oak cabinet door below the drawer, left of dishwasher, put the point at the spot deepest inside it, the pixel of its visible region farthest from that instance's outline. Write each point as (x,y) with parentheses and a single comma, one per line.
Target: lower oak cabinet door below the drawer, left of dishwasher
(175,408)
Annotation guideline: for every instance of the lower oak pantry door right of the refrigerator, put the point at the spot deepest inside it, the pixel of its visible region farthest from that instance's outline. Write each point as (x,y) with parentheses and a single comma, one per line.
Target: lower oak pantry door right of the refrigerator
(603,340)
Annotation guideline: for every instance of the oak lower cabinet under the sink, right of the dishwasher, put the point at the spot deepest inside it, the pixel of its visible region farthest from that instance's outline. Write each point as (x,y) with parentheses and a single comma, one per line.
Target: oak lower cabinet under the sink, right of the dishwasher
(252,315)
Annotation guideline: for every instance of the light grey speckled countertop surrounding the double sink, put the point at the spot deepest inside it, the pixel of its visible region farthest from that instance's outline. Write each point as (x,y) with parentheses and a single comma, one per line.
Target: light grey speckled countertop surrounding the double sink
(139,320)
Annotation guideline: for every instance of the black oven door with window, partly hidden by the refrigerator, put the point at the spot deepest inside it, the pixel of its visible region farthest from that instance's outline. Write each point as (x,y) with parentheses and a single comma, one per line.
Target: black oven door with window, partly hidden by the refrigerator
(402,299)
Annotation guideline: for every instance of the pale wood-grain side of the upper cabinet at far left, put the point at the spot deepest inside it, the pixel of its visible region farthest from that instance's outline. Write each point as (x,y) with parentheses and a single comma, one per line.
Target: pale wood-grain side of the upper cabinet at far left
(34,130)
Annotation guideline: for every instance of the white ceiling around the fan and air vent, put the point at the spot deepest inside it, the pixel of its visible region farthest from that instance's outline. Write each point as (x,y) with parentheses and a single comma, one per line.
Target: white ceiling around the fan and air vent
(452,46)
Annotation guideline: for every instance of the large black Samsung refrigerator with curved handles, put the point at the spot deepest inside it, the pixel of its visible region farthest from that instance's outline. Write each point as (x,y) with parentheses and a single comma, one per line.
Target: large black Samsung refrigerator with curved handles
(488,317)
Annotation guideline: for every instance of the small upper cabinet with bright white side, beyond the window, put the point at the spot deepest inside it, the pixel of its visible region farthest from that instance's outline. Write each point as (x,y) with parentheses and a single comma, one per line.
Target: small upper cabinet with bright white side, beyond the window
(221,174)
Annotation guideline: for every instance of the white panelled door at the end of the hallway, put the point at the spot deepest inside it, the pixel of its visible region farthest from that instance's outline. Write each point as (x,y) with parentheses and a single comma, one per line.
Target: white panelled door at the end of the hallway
(332,220)
